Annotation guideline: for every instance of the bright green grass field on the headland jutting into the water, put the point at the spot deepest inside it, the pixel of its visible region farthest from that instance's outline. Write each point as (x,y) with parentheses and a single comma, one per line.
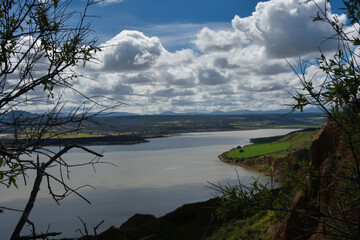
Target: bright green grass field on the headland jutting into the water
(258,150)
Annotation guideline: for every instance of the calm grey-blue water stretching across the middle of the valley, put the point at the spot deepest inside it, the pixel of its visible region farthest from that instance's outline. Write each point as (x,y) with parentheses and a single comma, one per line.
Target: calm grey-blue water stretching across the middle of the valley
(154,178)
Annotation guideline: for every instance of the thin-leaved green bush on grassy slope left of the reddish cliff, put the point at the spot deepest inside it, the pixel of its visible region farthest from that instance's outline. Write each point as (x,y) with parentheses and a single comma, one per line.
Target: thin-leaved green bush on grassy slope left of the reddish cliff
(250,212)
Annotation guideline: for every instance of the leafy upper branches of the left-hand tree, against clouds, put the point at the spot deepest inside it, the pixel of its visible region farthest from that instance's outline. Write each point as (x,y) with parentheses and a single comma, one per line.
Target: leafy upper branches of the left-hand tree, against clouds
(35,35)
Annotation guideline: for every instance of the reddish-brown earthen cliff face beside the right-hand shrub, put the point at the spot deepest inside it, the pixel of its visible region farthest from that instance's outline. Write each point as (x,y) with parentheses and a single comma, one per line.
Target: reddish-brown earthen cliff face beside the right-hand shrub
(327,154)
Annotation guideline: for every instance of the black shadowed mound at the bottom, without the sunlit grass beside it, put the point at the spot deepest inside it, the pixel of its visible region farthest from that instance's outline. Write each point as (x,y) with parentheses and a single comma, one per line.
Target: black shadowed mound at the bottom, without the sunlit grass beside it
(191,221)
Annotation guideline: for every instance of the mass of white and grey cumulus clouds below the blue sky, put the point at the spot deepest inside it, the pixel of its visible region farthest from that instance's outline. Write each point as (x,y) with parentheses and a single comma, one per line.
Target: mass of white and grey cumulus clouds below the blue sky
(229,69)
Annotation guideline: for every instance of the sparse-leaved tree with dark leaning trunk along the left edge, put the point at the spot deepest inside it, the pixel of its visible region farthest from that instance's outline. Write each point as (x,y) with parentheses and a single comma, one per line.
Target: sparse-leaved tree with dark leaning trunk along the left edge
(41,43)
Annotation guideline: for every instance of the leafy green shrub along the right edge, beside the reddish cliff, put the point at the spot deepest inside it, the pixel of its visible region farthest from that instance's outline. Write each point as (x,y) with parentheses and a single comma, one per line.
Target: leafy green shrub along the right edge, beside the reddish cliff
(338,96)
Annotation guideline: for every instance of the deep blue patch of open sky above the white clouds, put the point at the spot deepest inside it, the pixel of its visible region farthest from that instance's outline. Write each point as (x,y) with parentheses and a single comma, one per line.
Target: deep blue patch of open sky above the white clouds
(148,15)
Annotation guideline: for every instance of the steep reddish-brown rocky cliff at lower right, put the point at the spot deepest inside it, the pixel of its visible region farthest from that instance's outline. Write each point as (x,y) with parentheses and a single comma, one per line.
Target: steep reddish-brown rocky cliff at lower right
(319,208)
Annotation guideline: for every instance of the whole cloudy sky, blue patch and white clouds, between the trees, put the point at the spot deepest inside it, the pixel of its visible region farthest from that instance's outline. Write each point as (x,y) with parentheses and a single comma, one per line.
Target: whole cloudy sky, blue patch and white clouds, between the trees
(203,55)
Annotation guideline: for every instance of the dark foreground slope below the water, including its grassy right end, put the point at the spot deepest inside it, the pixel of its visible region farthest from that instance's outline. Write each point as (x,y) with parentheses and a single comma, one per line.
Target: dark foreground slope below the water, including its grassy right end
(202,220)
